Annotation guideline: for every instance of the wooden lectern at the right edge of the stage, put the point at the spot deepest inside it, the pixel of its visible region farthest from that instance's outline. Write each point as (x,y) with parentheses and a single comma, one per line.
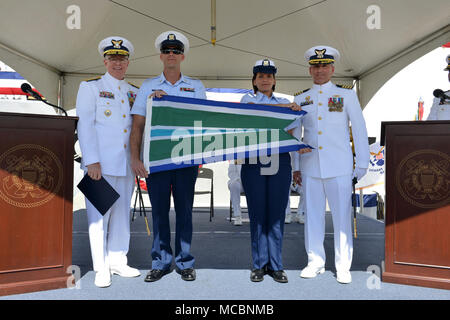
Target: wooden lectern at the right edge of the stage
(417,236)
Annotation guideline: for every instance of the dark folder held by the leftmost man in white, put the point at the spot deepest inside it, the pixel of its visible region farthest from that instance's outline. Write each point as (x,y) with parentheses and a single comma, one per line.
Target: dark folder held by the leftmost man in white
(99,192)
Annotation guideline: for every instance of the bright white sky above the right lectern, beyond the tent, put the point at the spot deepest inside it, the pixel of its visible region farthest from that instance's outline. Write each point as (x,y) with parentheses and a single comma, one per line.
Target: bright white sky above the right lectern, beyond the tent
(397,100)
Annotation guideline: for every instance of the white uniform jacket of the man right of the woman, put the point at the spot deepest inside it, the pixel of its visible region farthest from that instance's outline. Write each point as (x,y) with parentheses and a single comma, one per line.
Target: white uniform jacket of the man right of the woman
(326,128)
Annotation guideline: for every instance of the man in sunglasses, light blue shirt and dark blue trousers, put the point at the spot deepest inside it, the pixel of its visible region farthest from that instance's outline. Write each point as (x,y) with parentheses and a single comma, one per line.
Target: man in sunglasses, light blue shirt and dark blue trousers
(181,182)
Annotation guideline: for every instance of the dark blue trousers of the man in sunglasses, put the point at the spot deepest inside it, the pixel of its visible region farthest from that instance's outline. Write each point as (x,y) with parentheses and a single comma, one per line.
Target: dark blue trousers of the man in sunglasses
(181,183)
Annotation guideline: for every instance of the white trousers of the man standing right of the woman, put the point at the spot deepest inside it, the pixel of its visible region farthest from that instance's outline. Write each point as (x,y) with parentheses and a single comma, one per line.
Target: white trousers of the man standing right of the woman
(338,191)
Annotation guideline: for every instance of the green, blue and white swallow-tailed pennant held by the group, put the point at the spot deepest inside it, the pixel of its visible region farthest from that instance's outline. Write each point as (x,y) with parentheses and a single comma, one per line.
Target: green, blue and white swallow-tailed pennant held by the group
(182,132)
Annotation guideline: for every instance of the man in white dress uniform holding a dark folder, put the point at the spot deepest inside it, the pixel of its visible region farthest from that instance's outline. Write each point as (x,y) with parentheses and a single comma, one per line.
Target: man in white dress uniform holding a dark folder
(103,107)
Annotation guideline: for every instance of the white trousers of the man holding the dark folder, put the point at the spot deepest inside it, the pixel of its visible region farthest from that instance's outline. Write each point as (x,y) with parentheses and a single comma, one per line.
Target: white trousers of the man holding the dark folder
(109,235)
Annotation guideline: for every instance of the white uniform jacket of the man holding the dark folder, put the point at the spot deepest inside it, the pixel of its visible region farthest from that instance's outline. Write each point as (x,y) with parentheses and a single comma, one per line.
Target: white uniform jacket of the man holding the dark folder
(103,106)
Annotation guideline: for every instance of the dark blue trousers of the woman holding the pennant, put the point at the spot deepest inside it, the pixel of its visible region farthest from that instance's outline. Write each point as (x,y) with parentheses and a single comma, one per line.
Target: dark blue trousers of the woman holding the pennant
(267,197)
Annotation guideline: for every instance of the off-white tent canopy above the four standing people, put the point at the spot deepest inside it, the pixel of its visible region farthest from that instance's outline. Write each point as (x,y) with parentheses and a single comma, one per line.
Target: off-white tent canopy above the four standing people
(36,41)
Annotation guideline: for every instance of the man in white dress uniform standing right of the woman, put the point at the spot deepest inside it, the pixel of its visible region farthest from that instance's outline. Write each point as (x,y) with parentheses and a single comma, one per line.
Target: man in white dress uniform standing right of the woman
(327,171)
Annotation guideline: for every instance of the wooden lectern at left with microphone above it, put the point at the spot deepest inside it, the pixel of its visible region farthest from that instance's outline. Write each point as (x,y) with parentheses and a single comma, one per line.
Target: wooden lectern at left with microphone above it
(36,190)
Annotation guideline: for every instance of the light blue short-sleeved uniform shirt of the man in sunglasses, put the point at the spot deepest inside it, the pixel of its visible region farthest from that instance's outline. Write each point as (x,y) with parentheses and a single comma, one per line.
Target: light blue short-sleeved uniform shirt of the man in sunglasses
(184,87)
